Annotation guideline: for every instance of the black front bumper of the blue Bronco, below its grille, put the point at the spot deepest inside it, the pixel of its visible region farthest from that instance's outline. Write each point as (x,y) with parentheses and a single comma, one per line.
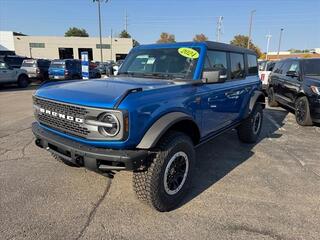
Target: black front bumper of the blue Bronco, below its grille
(95,159)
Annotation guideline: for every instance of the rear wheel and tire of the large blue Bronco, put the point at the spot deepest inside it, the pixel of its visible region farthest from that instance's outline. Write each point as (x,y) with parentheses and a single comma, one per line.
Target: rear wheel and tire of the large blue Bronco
(248,131)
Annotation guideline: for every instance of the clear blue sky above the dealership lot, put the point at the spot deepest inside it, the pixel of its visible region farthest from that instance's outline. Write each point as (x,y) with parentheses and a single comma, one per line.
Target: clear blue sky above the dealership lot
(183,18)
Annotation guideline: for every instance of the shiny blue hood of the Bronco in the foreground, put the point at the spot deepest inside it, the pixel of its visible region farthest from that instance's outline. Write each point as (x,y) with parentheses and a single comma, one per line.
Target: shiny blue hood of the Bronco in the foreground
(99,93)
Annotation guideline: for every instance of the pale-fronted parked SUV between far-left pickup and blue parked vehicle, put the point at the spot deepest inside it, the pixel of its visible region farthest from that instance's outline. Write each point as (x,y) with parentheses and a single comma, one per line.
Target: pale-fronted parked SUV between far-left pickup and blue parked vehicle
(36,68)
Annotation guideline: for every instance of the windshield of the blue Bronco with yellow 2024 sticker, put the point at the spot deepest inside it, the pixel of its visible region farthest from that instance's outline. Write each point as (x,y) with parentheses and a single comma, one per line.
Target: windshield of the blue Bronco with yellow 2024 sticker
(166,63)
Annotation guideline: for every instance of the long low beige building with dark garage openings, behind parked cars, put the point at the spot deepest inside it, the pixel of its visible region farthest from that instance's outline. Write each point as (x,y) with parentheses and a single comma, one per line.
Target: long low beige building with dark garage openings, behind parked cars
(55,47)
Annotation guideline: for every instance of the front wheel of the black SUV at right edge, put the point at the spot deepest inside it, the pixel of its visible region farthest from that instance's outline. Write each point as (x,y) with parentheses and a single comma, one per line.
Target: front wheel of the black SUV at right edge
(302,107)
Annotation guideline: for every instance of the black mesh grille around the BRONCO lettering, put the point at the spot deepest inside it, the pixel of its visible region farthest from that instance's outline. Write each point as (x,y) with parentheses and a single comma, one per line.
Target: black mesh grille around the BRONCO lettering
(58,123)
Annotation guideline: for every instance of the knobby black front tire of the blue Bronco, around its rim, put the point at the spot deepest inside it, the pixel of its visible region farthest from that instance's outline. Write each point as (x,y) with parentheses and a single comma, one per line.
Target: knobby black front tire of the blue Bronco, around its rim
(149,184)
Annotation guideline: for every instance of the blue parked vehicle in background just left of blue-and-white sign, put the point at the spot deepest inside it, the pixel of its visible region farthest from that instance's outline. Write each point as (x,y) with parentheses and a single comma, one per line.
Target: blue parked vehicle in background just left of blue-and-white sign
(65,69)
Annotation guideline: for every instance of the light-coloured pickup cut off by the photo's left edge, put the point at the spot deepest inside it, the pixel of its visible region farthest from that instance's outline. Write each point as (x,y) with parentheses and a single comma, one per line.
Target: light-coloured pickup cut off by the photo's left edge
(13,75)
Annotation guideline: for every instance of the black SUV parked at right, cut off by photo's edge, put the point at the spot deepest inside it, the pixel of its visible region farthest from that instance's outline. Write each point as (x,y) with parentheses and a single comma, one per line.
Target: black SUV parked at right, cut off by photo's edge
(295,83)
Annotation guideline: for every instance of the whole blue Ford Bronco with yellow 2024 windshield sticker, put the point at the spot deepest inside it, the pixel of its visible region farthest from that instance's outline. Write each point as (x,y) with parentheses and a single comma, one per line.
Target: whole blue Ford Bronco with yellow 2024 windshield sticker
(166,100)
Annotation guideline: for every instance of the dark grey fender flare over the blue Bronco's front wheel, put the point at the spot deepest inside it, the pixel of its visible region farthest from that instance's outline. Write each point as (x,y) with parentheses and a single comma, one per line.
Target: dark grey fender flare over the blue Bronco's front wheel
(159,128)
